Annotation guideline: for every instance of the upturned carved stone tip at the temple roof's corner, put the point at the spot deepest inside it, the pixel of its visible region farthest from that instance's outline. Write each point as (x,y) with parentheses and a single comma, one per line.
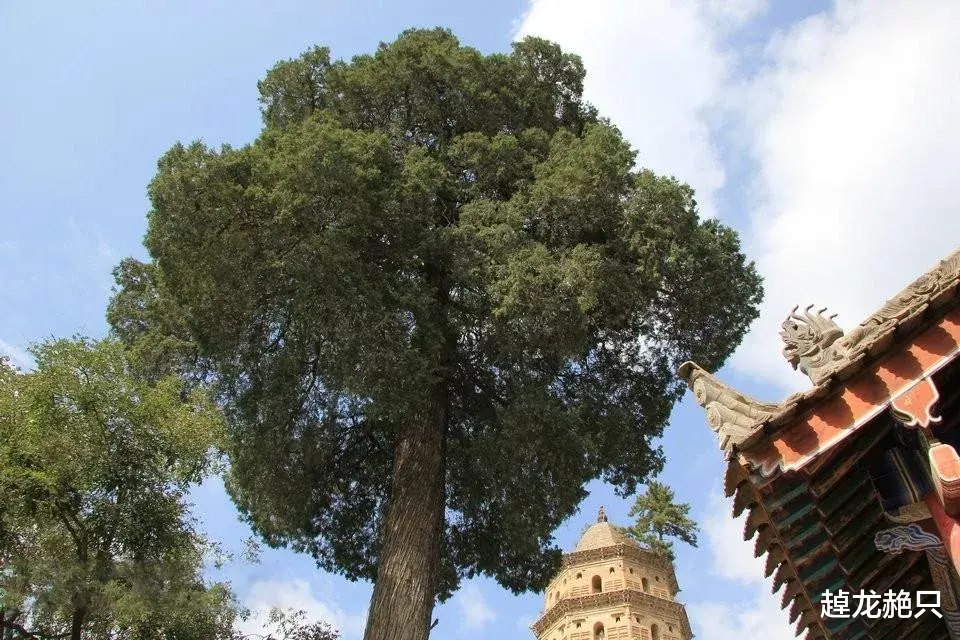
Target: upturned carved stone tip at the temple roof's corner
(732,415)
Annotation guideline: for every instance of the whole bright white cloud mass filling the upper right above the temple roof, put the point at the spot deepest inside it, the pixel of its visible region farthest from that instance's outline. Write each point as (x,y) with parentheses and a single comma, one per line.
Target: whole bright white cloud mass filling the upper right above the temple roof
(852,125)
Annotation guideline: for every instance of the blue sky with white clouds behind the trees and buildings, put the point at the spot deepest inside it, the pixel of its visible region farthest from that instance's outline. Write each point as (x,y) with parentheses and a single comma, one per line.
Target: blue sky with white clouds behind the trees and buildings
(824,132)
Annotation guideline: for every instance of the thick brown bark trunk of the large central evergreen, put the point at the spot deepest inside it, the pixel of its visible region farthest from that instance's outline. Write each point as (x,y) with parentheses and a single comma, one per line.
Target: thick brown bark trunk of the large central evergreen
(405,590)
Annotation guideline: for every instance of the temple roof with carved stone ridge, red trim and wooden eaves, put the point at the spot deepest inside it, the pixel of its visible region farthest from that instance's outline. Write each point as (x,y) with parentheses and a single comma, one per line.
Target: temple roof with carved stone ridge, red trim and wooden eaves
(815,516)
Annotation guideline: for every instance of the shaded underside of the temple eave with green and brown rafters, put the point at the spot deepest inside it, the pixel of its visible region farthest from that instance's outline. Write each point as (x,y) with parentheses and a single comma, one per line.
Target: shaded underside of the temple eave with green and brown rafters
(816,531)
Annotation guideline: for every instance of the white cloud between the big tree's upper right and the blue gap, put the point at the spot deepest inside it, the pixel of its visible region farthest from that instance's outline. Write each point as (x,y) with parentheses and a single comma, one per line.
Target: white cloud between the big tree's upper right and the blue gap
(656,69)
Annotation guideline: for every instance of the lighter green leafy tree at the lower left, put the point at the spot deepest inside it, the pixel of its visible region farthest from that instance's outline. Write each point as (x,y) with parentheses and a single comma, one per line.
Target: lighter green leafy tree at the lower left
(95,538)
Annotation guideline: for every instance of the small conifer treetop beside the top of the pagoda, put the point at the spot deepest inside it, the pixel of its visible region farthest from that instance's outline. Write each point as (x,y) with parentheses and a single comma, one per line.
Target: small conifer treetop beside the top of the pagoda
(659,518)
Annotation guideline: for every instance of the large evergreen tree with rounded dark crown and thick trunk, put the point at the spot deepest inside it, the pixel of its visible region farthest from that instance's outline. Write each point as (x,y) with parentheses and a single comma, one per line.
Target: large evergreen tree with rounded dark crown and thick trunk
(436,300)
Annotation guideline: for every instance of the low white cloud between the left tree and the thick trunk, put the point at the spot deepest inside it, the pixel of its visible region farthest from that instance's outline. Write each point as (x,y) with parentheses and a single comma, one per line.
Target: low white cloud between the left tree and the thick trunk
(296,595)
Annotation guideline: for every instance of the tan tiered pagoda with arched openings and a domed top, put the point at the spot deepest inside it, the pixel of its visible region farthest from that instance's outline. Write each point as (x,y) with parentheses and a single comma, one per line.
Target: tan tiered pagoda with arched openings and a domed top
(611,588)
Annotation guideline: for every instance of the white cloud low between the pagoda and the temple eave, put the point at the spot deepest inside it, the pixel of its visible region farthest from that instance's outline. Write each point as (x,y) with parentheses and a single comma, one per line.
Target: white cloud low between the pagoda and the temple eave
(732,558)
